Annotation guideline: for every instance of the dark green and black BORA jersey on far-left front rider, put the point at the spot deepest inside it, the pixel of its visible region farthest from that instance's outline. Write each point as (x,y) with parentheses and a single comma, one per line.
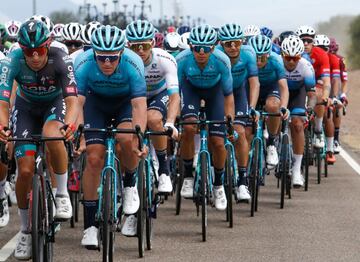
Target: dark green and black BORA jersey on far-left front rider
(45,85)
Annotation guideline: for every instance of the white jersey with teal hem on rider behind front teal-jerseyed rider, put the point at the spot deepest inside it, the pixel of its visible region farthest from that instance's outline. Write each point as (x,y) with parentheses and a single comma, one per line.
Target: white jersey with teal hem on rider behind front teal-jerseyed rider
(161,73)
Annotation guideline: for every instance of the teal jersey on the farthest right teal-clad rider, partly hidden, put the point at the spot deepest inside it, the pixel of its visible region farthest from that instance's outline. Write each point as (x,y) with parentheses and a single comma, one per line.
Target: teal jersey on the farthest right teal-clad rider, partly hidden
(273,71)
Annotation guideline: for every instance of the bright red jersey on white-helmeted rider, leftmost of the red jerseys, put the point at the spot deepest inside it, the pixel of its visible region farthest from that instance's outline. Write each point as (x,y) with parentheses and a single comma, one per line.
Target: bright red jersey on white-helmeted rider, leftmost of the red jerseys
(321,62)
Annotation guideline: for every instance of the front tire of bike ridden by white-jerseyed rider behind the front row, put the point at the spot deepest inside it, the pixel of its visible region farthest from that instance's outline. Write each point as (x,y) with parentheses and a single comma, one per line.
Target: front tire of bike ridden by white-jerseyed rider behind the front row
(141,214)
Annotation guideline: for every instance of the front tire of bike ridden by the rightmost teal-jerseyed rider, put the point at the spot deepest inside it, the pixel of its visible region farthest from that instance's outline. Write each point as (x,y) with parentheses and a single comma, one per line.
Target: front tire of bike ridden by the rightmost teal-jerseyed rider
(253,176)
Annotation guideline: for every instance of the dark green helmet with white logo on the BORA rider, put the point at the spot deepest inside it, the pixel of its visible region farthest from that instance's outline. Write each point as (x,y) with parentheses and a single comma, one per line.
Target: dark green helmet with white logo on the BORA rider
(33,34)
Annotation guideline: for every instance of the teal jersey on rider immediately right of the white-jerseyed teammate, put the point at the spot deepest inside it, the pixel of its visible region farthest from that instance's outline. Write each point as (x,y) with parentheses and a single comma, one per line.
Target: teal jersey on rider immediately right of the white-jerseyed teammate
(217,71)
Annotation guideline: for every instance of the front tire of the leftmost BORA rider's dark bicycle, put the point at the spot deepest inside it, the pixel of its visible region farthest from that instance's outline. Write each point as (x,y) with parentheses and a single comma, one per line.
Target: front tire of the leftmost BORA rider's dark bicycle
(37,226)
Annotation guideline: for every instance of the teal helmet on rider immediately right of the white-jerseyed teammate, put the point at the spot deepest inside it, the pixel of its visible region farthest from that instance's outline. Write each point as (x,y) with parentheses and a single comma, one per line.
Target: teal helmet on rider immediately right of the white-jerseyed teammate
(203,35)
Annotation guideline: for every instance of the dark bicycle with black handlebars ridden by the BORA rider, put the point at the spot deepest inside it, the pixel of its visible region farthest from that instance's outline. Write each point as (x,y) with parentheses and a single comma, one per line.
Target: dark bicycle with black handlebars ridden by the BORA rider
(41,202)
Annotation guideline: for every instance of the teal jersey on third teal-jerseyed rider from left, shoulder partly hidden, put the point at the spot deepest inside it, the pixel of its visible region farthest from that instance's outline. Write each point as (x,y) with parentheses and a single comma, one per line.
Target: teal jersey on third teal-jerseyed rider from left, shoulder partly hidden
(245,67)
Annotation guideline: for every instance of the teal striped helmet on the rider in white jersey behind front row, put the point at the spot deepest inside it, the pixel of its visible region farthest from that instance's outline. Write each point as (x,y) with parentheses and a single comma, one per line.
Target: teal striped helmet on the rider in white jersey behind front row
(140,30)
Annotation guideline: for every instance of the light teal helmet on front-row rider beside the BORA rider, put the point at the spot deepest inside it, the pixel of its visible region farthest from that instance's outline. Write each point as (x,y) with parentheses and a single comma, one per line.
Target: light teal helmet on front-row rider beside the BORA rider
(108,38)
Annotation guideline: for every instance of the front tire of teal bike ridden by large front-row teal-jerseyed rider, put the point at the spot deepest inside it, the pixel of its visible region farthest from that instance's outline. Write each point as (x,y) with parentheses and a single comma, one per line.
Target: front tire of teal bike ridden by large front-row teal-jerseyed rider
(106,221)
